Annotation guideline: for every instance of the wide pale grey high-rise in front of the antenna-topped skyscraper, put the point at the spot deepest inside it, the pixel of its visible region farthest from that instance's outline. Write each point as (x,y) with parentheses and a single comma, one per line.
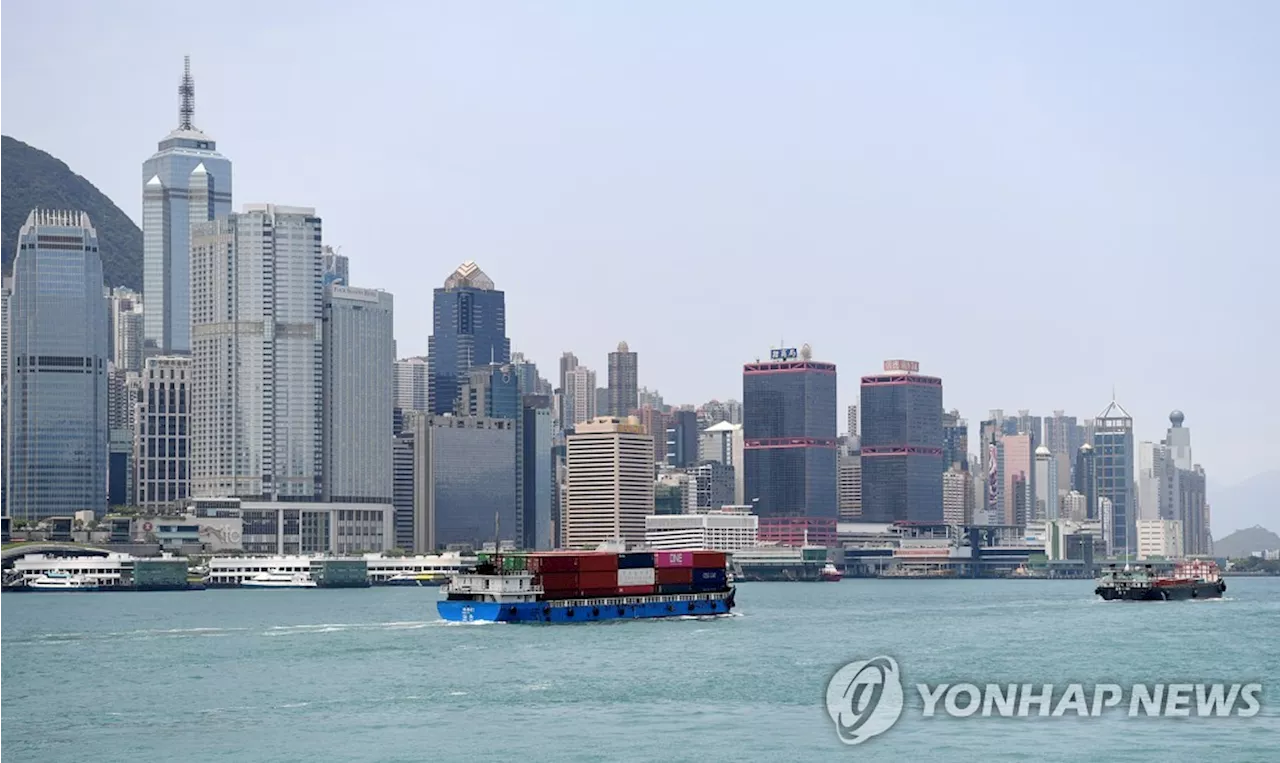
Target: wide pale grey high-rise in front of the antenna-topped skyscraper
(257,357)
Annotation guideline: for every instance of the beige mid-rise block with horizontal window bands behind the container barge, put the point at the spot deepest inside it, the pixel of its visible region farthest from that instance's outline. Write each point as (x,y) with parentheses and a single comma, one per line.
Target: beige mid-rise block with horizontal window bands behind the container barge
(610,486)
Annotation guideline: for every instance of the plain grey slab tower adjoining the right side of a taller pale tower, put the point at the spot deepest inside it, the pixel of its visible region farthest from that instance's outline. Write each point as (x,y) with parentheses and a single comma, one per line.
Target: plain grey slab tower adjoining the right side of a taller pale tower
(359,391)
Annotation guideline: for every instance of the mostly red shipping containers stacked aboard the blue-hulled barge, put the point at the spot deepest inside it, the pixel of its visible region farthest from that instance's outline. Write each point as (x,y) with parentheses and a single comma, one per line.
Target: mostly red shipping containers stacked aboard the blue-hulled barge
(570,575)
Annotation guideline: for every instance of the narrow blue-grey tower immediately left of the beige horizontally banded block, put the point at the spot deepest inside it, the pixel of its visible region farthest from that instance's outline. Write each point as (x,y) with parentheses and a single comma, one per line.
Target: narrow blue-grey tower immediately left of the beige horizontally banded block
(540,473)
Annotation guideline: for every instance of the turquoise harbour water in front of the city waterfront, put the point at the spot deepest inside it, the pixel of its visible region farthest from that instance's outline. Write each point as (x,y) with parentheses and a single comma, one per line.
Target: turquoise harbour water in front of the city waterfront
(374,675)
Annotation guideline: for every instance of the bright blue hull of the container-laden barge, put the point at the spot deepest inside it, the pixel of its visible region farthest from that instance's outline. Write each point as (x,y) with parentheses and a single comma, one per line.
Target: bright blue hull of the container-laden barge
(572,611)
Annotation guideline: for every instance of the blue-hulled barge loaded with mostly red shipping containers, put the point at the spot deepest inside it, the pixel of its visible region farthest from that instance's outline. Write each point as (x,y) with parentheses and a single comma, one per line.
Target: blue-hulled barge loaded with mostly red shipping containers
(588,587)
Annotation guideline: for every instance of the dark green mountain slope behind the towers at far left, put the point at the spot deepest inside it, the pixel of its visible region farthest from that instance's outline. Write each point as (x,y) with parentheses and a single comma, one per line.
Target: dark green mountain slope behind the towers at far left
(31,179)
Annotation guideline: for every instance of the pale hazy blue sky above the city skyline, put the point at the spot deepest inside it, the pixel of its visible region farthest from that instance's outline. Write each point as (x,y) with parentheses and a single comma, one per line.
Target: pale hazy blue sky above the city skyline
(1037,202)
